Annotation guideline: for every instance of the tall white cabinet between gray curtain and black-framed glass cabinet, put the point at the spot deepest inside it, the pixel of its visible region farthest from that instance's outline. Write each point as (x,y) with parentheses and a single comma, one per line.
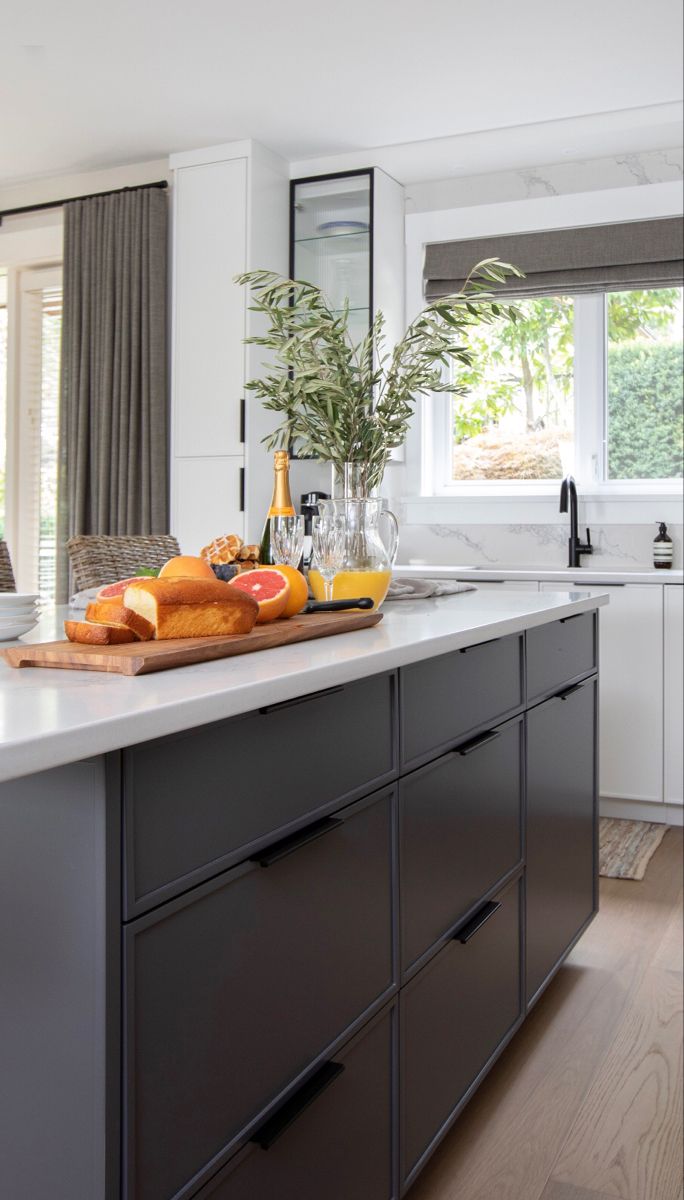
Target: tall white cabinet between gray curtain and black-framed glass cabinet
(231,215)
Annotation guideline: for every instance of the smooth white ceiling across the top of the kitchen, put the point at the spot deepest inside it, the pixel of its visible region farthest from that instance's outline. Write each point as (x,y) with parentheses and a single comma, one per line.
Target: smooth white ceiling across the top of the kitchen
(91,86)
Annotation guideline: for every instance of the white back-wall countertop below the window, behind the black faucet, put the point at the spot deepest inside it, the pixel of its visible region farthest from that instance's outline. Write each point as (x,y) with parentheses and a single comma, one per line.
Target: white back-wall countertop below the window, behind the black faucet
(565,577)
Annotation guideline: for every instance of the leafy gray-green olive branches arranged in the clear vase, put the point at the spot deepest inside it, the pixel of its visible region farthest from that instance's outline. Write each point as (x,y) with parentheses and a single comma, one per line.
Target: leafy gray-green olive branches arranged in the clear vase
(345,403)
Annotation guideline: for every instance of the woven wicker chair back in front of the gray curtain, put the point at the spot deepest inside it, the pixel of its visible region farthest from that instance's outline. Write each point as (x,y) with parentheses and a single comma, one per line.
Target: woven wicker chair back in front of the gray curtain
(98,560)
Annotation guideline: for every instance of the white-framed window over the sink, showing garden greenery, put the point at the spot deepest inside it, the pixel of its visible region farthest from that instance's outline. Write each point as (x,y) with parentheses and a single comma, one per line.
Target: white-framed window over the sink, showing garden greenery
(591,385)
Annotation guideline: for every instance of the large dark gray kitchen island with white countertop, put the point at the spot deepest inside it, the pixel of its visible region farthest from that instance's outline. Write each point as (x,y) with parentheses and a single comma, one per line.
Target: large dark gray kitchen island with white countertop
(269,921)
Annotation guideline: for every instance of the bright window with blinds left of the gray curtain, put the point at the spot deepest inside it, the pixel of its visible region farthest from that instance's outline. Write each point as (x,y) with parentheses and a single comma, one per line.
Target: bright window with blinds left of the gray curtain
(31,335)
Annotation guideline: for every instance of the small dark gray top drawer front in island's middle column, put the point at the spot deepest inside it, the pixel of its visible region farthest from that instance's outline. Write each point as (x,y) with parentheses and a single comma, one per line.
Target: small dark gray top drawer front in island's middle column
(445,698)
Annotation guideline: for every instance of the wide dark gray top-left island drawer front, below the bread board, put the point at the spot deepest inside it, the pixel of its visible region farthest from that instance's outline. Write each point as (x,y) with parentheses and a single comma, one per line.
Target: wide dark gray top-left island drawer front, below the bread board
(200,802)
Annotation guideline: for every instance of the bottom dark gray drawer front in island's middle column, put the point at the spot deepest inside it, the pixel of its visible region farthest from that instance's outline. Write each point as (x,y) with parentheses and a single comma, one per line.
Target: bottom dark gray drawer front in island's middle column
(454,1016)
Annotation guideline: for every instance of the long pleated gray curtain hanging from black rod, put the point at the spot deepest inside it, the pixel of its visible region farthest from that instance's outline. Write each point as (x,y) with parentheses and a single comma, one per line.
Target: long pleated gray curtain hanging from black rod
(113,473)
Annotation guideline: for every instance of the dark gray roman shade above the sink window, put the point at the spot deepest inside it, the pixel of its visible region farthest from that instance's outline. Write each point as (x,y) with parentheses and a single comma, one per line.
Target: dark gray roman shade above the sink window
(595,259)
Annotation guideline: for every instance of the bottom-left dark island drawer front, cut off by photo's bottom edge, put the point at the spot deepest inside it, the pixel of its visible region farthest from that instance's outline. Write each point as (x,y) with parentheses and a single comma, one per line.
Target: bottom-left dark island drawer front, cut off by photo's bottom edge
(334,1139)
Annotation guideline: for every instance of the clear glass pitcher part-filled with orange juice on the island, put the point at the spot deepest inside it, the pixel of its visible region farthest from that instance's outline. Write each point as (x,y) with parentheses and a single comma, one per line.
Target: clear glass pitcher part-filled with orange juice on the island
(368,566)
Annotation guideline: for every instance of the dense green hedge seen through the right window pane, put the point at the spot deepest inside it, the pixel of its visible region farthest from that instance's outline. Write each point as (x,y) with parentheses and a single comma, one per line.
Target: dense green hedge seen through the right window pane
(646,430)
